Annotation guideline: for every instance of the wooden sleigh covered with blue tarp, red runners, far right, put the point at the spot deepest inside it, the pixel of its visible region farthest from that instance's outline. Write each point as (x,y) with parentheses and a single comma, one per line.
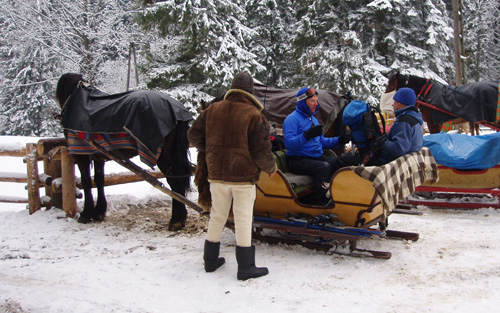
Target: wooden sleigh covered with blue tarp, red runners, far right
(477,185)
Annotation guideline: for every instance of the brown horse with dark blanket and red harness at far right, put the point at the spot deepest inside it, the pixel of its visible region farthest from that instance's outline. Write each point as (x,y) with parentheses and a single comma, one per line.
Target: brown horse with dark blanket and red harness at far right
(439,103)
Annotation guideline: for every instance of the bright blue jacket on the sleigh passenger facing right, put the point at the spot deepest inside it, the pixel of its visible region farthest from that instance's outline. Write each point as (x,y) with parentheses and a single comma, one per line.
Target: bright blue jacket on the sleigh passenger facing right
(294,127)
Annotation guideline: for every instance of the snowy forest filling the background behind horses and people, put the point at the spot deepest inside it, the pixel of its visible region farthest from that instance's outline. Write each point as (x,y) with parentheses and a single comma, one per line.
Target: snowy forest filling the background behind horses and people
(191,49)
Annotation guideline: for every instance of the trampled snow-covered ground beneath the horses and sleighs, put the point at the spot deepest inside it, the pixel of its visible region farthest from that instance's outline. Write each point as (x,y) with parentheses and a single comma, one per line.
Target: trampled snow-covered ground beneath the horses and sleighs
(131,263)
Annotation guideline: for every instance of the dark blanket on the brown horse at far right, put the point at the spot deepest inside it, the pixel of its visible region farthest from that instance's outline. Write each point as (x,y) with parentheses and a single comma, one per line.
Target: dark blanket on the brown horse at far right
(473,102)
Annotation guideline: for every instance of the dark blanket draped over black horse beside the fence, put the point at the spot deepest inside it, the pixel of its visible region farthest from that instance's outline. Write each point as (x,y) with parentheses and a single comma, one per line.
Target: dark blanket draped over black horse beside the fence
(146,116)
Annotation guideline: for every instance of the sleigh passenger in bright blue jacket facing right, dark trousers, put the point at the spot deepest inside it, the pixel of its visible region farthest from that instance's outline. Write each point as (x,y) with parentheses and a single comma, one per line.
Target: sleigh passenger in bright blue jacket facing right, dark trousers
(305,142)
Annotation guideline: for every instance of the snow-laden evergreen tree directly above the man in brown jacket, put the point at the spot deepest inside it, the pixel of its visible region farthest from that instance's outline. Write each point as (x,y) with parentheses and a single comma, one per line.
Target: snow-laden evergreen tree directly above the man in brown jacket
(212,45)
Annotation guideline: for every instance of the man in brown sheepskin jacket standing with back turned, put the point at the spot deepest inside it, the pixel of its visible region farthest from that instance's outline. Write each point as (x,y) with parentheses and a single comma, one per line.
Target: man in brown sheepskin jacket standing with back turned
(234,134)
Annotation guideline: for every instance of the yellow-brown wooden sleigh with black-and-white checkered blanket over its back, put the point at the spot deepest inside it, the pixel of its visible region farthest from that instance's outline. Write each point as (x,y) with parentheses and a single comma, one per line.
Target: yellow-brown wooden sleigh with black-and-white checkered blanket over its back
(362,198)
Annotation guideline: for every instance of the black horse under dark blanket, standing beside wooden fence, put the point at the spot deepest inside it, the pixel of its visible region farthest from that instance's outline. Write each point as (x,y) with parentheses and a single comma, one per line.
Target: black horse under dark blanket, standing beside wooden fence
(173,160)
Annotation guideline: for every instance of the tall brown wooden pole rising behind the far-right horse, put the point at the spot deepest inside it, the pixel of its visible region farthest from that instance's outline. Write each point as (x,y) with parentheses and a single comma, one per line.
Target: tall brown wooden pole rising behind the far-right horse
(458,42)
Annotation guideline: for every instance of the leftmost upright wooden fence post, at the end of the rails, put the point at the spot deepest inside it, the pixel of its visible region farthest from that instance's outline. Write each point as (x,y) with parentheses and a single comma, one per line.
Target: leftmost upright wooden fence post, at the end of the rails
(32,176)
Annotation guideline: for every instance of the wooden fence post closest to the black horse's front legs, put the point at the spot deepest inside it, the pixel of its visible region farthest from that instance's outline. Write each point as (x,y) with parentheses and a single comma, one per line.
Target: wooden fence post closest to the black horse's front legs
(68,182)
